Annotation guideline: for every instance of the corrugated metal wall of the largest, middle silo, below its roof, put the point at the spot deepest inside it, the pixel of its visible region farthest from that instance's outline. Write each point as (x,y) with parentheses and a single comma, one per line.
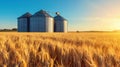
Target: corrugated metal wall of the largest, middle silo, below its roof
(41,24)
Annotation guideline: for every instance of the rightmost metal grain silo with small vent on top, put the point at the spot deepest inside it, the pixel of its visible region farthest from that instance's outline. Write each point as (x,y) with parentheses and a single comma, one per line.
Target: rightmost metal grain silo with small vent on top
(60,23)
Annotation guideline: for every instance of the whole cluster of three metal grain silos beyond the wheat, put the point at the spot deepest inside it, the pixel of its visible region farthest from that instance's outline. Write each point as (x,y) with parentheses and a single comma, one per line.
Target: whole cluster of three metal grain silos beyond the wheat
(41,21)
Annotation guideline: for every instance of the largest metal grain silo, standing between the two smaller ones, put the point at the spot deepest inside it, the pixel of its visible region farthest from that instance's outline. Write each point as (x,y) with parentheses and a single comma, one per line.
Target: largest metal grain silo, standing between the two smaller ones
(41,21)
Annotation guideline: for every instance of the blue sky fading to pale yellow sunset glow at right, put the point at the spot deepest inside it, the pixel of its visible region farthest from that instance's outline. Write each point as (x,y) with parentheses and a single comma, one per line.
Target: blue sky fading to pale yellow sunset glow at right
(82,15)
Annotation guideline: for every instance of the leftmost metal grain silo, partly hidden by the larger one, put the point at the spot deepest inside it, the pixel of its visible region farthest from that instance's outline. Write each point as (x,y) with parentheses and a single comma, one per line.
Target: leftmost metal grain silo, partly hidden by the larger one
(24,22)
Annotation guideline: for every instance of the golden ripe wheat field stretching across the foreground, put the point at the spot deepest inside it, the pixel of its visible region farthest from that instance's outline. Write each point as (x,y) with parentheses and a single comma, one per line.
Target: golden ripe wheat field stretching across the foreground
(85,49)
